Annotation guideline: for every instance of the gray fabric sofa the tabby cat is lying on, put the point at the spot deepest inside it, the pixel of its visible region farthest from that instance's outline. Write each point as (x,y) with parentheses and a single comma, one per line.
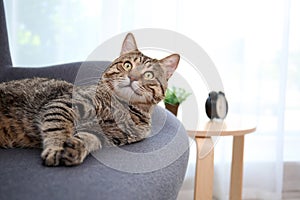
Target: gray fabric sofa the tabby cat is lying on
(22,175)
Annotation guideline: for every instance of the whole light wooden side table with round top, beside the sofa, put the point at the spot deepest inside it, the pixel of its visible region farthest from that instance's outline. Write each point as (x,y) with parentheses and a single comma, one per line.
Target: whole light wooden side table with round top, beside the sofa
(205,156)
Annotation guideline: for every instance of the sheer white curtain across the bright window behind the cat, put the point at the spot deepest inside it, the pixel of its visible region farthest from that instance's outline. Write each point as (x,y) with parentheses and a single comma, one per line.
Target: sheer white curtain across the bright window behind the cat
(254,44)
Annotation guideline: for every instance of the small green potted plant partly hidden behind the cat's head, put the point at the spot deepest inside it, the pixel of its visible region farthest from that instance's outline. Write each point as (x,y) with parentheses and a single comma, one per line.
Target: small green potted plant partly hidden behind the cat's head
(174,97)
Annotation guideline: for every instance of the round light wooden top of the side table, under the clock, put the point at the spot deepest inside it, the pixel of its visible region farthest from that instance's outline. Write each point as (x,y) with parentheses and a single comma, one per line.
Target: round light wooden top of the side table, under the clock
(226,127)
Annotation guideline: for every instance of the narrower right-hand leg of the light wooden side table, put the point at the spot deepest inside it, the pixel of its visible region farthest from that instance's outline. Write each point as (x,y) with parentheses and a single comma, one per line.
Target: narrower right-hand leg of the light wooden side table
(236,181)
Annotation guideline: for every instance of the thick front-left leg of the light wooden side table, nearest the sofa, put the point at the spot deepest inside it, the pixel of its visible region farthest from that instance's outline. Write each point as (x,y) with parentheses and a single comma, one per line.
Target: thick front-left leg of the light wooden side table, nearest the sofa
(204,169)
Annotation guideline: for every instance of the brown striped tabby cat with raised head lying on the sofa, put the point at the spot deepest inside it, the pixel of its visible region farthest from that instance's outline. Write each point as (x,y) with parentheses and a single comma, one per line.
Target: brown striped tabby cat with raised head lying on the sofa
(69,121)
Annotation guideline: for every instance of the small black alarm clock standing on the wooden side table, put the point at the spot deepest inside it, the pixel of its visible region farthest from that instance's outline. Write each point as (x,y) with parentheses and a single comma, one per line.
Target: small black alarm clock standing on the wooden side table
(216,105)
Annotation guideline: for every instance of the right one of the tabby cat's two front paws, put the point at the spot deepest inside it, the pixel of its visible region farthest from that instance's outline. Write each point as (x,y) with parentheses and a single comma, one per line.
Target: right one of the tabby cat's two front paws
(73,152)
